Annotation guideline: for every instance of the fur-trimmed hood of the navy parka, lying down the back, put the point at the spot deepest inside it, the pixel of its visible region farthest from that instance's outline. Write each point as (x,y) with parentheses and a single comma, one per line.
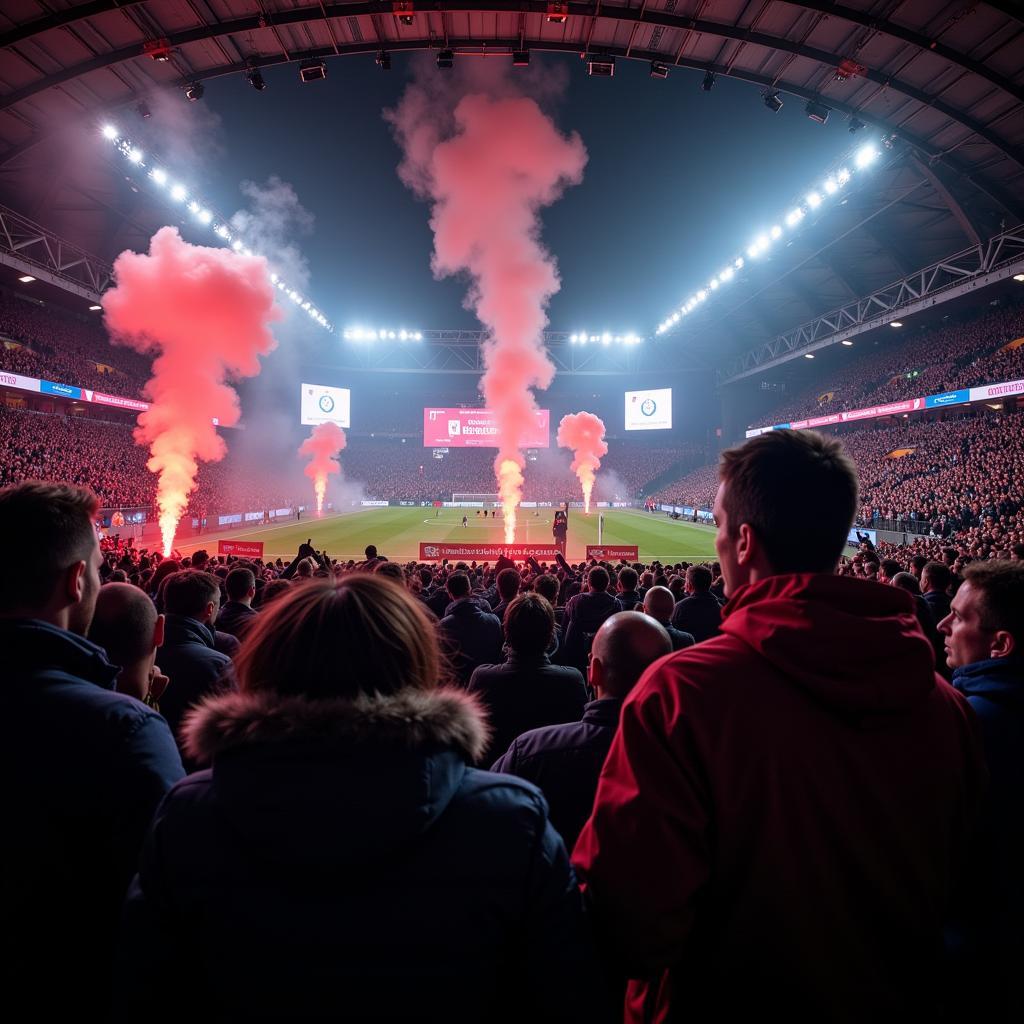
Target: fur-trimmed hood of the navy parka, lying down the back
(335,782)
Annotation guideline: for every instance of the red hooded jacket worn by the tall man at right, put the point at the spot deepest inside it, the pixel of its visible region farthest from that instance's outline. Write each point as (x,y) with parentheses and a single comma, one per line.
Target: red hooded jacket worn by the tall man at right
(783,813)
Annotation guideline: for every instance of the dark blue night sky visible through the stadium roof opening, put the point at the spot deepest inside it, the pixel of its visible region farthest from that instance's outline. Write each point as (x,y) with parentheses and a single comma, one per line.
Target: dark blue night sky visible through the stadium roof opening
(677,184)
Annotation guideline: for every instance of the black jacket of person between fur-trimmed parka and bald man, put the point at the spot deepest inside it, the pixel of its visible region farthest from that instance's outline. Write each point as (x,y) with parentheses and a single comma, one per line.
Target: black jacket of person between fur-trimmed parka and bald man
(526,694)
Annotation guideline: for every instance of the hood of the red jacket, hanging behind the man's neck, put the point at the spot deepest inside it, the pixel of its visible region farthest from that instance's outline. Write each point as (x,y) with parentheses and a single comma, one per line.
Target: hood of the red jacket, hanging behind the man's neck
(856,647)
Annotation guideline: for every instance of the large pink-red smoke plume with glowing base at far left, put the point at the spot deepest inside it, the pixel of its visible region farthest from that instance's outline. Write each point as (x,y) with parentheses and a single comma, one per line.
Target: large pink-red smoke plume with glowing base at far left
(206,314)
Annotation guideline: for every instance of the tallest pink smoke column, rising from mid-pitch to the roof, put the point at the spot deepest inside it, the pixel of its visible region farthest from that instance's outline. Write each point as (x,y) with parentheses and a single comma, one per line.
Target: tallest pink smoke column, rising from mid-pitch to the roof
(489,166)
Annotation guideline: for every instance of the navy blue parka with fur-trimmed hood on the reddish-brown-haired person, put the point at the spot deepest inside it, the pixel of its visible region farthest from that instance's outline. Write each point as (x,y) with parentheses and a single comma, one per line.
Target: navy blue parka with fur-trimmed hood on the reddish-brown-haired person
(342,862)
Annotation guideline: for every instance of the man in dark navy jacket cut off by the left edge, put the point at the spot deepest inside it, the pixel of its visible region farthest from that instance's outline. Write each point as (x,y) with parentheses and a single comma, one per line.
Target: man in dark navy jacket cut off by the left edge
(87,766)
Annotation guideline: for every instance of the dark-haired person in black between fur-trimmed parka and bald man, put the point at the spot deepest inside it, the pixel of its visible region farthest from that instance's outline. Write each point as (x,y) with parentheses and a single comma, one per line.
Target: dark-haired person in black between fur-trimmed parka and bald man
(527,692)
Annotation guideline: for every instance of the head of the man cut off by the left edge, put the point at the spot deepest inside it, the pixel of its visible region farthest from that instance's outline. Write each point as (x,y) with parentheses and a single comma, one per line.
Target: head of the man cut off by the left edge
(51,554)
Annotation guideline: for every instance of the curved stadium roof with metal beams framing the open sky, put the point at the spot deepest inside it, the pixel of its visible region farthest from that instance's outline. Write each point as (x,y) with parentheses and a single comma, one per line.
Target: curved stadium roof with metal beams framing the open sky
(943,82)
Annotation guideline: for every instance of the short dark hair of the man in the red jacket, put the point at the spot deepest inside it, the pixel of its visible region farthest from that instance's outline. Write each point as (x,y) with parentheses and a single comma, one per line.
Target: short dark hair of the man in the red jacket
(798,492)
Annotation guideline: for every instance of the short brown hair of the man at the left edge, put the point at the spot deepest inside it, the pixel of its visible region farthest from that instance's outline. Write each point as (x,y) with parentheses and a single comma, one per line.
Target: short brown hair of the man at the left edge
(46,530)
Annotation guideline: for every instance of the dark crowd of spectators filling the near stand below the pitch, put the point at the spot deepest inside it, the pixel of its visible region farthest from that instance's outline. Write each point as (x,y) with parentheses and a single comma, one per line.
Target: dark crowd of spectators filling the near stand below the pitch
(488,793)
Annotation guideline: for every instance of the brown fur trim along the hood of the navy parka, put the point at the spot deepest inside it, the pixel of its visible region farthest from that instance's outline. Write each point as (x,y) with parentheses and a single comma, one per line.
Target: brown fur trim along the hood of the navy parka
(414,719)
